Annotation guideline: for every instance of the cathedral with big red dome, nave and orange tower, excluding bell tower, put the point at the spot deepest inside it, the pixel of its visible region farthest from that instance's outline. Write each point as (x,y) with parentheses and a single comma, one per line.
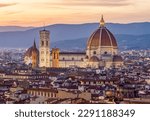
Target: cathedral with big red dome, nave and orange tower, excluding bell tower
(101,51)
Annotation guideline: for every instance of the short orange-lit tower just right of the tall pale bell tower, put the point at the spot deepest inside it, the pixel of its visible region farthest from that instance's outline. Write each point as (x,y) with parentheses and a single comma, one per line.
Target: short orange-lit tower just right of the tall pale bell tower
(55,57)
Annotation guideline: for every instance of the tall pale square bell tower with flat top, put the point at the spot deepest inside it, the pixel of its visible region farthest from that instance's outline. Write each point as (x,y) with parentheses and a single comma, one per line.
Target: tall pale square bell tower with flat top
(44,48)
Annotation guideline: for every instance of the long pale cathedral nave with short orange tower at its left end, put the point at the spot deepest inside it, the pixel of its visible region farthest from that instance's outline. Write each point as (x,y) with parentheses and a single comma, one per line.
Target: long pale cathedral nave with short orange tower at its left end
(67,59)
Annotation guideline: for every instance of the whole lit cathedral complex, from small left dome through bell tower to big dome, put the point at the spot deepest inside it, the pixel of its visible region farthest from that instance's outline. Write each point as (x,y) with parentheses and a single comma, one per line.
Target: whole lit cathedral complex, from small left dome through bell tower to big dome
(101,51)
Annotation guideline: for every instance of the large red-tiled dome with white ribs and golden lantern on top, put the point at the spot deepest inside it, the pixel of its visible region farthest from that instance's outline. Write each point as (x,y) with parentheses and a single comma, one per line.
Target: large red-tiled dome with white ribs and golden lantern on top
(102,37)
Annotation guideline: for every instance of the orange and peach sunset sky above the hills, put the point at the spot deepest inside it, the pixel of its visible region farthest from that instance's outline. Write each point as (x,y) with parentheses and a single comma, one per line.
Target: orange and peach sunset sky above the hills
(38,12)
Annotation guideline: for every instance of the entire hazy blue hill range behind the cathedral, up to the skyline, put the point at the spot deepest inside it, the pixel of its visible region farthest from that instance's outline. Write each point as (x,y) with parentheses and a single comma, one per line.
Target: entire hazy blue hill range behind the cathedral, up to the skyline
(129,36)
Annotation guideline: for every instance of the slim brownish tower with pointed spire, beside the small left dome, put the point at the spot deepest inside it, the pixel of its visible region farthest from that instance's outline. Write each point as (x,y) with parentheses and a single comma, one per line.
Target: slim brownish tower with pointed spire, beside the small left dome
(34,56)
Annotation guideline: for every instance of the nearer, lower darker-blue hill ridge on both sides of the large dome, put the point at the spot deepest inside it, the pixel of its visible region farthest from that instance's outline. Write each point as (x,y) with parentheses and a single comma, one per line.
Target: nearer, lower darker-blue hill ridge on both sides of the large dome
(125,42)
